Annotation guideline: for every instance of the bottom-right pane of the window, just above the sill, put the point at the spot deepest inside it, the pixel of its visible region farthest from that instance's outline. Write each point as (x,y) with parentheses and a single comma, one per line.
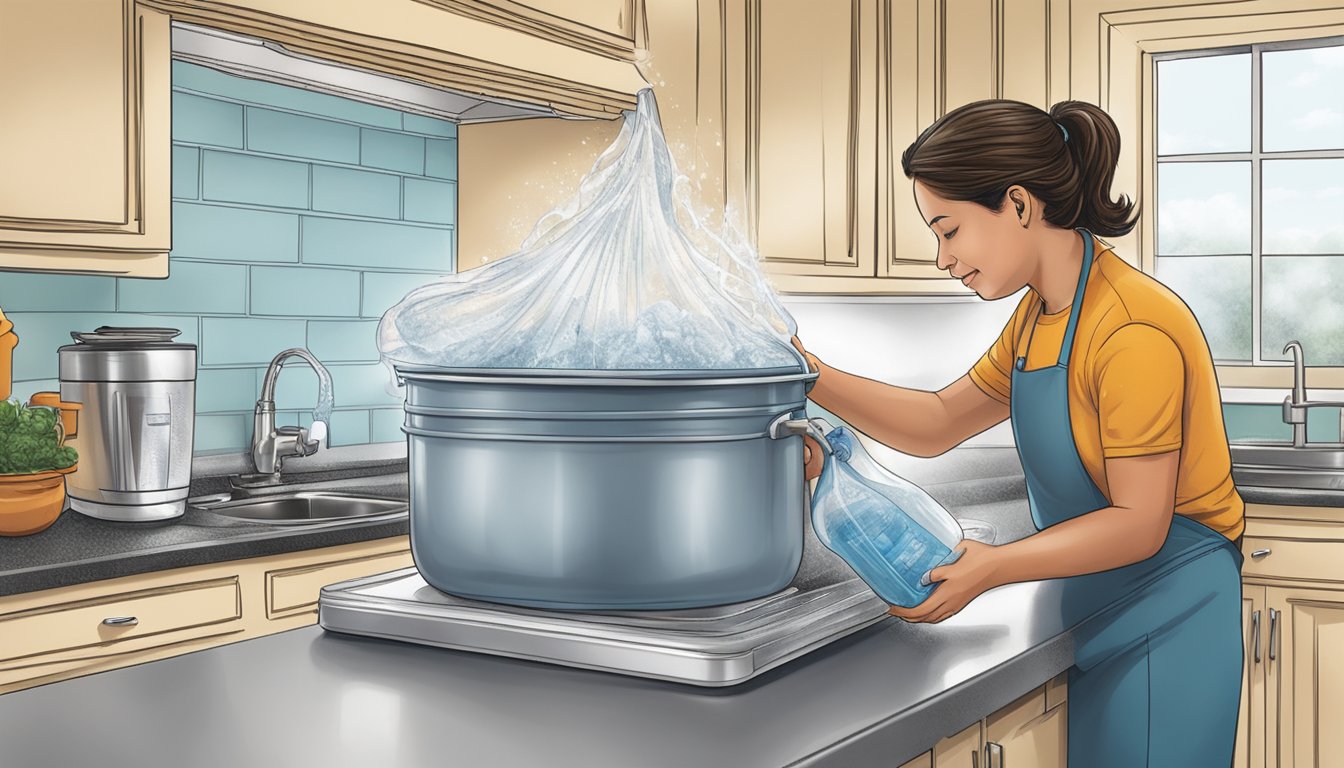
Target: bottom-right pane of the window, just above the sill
(1302,301)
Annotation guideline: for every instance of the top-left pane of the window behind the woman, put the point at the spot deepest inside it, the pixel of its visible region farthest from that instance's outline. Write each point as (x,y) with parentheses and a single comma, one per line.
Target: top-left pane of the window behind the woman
(1205,106)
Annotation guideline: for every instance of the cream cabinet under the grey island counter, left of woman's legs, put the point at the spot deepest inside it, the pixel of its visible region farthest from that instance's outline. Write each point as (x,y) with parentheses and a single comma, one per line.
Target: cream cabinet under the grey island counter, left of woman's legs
(1032,731)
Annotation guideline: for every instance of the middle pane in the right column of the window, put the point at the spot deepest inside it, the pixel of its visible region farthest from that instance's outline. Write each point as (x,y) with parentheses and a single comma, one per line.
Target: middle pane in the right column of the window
(1304,206)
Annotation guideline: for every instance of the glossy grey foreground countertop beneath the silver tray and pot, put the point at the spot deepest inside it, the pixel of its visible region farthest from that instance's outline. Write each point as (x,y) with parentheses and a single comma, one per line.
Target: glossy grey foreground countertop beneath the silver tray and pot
(306,697)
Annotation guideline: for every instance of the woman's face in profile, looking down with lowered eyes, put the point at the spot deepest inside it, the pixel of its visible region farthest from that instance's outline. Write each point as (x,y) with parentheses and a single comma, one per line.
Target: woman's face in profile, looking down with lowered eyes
(990,252)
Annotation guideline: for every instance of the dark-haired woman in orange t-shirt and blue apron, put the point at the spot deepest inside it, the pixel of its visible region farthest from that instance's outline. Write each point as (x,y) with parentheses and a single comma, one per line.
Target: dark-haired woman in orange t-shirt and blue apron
(1116,414)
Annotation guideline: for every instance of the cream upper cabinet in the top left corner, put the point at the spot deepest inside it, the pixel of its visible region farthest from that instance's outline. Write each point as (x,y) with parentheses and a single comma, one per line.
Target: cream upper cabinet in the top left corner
(85,146)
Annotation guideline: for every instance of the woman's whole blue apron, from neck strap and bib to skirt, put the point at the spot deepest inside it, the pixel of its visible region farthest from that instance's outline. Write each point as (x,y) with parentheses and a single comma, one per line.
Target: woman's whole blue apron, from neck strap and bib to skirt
(1158,644)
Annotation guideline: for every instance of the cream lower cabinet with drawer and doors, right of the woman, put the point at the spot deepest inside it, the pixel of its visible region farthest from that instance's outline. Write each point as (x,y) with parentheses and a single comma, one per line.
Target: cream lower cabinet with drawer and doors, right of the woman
(1294,590)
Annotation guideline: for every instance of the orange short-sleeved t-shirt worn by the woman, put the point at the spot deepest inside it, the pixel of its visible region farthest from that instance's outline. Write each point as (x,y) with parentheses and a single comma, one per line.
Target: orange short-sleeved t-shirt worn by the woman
(1140,381)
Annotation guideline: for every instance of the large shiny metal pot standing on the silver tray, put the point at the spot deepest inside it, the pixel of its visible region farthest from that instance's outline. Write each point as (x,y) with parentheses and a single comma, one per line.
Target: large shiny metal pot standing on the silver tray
(603,490)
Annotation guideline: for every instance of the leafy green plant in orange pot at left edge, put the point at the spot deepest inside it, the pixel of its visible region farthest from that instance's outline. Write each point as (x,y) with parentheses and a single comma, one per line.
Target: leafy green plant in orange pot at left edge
(34,462)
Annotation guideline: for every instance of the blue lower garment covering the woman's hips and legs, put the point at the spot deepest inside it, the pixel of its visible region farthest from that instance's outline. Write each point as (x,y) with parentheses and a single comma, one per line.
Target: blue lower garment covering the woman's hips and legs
(1158,681)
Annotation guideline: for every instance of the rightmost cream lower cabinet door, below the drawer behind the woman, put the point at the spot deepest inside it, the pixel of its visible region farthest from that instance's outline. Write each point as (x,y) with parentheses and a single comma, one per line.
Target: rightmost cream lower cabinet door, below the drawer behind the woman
(1307,652)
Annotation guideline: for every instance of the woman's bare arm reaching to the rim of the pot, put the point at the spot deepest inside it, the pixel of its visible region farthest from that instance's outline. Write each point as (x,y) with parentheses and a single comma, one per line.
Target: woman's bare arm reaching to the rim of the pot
(913,422)
